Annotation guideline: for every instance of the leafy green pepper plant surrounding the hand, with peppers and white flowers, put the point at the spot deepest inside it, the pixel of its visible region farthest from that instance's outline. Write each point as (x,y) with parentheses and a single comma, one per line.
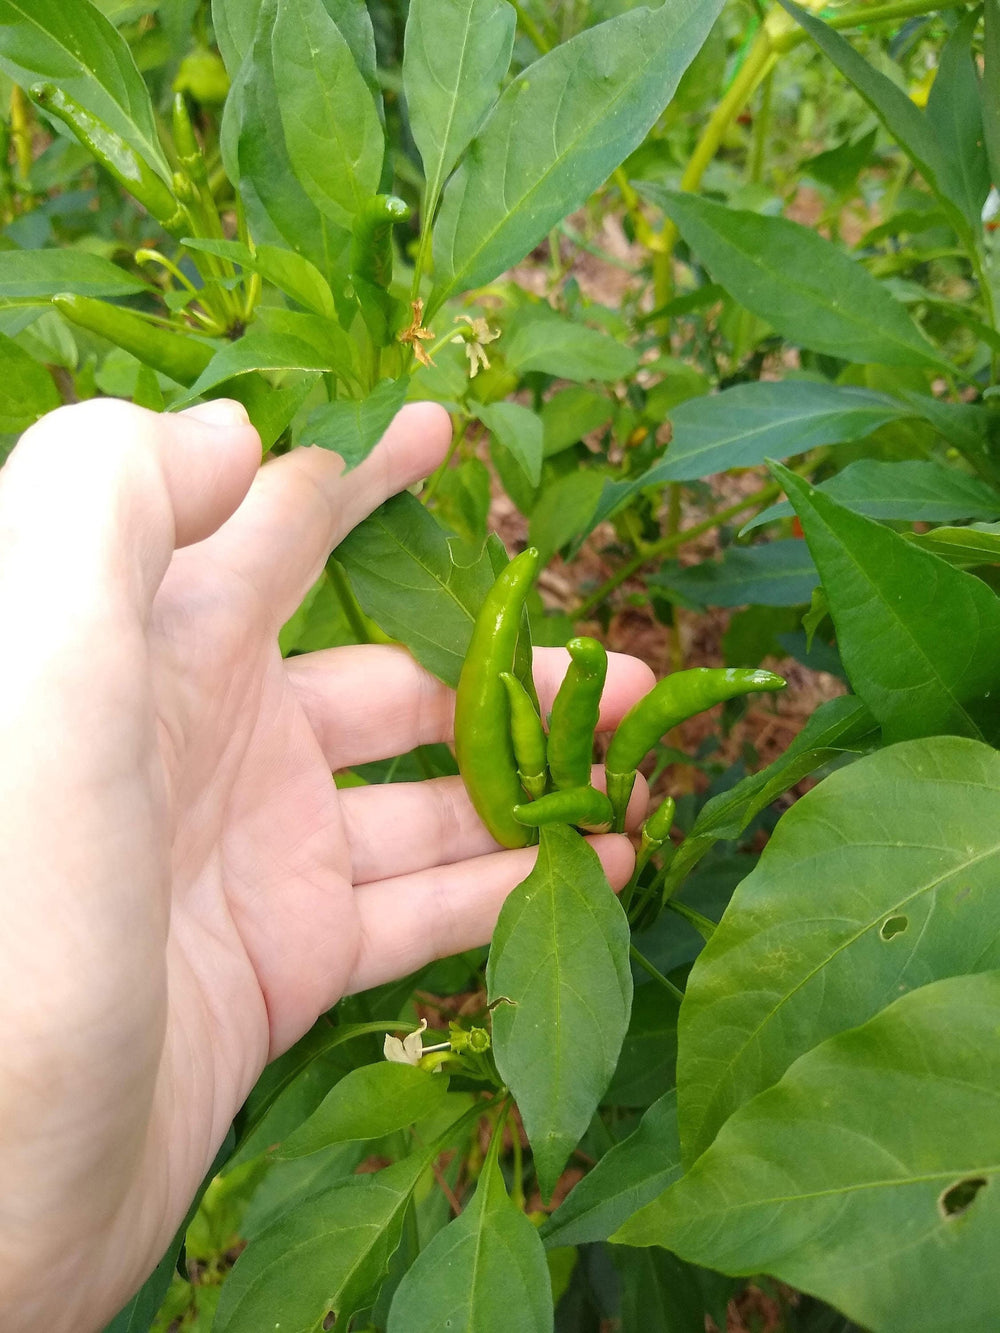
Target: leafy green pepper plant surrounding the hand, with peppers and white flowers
(775,1066)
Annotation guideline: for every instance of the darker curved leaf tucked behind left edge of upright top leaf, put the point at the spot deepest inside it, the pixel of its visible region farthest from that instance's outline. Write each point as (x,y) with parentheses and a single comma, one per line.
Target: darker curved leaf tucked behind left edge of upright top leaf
(257,162)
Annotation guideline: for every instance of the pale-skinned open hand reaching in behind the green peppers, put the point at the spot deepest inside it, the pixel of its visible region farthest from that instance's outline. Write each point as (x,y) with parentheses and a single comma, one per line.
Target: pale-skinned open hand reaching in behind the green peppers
(183,891)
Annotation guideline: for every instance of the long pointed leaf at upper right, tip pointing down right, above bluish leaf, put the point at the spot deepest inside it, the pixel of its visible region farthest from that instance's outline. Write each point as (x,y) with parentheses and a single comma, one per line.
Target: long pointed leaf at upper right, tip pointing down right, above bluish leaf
(797,281)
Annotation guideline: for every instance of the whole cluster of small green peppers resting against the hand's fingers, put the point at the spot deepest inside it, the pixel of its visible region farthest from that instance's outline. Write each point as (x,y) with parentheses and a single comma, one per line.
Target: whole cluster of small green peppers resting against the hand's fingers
(502,747)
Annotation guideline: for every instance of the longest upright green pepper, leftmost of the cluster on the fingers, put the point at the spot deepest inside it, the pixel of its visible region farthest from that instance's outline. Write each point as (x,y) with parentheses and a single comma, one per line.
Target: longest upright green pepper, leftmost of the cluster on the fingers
(483,744)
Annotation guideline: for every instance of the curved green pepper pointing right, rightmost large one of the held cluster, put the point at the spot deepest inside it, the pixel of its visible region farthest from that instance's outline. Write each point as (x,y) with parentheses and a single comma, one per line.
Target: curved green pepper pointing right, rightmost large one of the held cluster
(667,704)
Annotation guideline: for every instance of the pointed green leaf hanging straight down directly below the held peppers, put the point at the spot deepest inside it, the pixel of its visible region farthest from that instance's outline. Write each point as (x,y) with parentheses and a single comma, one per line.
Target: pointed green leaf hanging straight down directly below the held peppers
(559,962)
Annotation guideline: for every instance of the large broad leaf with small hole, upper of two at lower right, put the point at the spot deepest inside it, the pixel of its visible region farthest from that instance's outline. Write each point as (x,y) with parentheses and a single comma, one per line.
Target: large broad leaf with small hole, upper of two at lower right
(879,880)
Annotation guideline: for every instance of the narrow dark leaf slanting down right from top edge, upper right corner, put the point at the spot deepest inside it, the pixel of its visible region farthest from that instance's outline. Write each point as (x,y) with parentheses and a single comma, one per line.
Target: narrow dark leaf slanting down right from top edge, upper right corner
(909,126)
